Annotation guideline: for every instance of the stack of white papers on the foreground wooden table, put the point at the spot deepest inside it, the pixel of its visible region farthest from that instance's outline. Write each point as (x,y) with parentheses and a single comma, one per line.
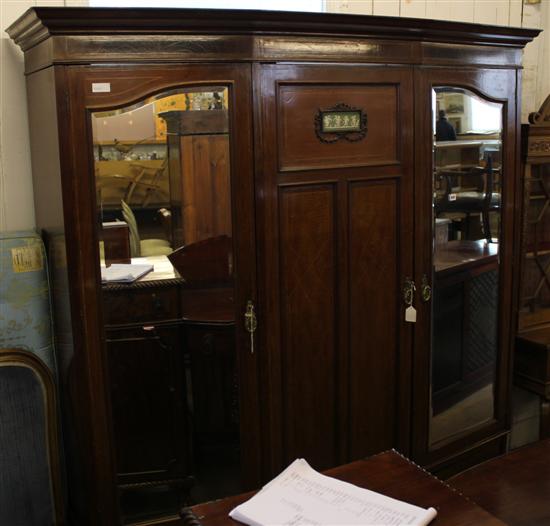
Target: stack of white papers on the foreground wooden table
(302,496)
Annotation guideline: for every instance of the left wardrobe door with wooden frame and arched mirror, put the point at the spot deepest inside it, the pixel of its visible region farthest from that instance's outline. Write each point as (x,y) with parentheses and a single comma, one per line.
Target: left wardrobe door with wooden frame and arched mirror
(169,158)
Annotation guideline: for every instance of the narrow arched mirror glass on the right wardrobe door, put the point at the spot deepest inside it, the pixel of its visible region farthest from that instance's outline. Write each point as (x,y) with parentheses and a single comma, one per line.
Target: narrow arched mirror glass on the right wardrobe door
(467,179)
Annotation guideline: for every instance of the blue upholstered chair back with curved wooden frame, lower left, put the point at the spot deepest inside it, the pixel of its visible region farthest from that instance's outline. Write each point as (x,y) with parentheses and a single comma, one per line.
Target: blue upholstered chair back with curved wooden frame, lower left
(30,475)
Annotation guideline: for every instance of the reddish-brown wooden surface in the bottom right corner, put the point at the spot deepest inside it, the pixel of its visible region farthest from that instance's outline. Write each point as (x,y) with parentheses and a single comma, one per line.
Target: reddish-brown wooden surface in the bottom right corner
(514,488)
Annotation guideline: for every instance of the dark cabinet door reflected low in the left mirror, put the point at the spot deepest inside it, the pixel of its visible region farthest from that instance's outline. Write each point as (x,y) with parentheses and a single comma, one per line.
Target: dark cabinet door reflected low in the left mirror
(148,403)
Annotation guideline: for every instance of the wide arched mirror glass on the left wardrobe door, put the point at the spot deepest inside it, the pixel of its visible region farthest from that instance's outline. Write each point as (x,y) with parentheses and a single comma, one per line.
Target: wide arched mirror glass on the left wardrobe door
(162,174)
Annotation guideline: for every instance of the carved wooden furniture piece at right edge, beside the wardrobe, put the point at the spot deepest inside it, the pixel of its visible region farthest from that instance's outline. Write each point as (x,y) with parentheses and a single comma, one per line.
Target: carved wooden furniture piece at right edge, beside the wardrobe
(532,358)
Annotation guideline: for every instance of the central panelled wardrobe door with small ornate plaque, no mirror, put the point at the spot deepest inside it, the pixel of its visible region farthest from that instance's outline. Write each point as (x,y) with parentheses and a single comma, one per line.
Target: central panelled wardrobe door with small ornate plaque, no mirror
(334,196)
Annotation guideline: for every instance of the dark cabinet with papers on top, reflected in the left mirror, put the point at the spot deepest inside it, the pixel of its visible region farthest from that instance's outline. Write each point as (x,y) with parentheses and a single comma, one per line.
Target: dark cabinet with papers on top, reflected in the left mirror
(143,335)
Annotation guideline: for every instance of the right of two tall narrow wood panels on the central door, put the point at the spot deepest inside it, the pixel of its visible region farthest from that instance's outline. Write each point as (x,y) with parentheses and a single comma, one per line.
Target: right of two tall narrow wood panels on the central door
(373,278)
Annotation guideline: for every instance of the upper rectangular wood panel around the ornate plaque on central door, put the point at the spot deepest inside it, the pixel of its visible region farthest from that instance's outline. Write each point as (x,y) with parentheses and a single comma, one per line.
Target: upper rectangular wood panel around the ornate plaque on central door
(301,148)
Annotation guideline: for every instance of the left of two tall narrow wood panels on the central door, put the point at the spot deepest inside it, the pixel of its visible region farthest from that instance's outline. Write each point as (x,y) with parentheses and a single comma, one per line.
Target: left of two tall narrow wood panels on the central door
(308,301)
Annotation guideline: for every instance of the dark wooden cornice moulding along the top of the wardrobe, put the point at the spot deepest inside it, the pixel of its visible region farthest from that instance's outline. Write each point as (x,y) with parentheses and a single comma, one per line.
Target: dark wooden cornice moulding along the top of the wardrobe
(39,23)
